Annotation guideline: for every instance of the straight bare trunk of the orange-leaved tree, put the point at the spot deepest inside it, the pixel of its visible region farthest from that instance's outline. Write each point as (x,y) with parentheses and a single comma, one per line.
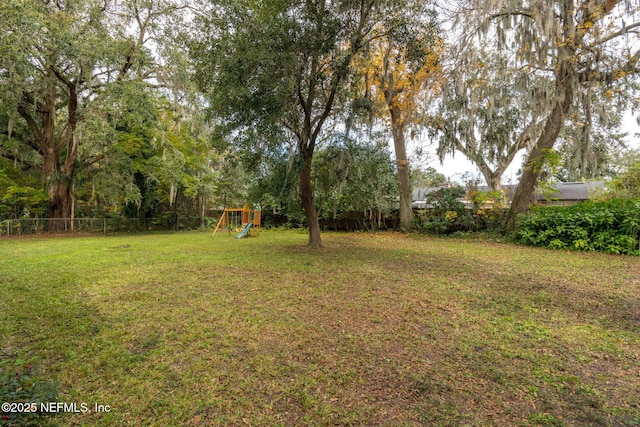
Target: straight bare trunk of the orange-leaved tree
(397,129)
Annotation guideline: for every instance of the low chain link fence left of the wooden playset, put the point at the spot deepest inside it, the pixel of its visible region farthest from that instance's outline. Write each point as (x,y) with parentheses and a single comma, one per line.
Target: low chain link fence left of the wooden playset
(27,226)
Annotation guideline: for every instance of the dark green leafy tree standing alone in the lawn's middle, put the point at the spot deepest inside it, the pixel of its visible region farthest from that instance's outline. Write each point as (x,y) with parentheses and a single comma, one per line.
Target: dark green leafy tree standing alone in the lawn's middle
(277,71)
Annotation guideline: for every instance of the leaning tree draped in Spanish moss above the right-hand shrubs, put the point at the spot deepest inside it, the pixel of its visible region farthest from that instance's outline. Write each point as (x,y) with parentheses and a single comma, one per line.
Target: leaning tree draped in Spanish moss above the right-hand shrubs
(573,43)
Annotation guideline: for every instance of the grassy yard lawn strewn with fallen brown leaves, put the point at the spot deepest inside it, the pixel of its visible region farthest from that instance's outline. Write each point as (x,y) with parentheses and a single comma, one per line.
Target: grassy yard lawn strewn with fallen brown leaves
(376,329)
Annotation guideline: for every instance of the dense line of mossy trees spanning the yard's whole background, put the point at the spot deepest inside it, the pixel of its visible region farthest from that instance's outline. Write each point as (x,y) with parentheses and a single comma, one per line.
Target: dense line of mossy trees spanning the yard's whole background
(144,108)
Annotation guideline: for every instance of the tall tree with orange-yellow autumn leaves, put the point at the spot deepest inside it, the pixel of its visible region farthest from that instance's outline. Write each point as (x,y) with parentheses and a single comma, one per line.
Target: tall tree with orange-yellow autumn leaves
(402,71)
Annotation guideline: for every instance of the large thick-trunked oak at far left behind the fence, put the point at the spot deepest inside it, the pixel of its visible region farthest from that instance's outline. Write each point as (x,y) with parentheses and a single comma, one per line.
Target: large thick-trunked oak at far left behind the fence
(57,59)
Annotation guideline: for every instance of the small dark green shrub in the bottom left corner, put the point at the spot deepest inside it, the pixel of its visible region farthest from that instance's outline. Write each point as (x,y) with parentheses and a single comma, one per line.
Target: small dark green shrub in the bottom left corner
(20,383)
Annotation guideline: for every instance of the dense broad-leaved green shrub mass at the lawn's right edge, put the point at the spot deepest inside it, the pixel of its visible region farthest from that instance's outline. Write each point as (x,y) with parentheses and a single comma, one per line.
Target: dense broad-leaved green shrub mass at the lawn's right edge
(606,226)
